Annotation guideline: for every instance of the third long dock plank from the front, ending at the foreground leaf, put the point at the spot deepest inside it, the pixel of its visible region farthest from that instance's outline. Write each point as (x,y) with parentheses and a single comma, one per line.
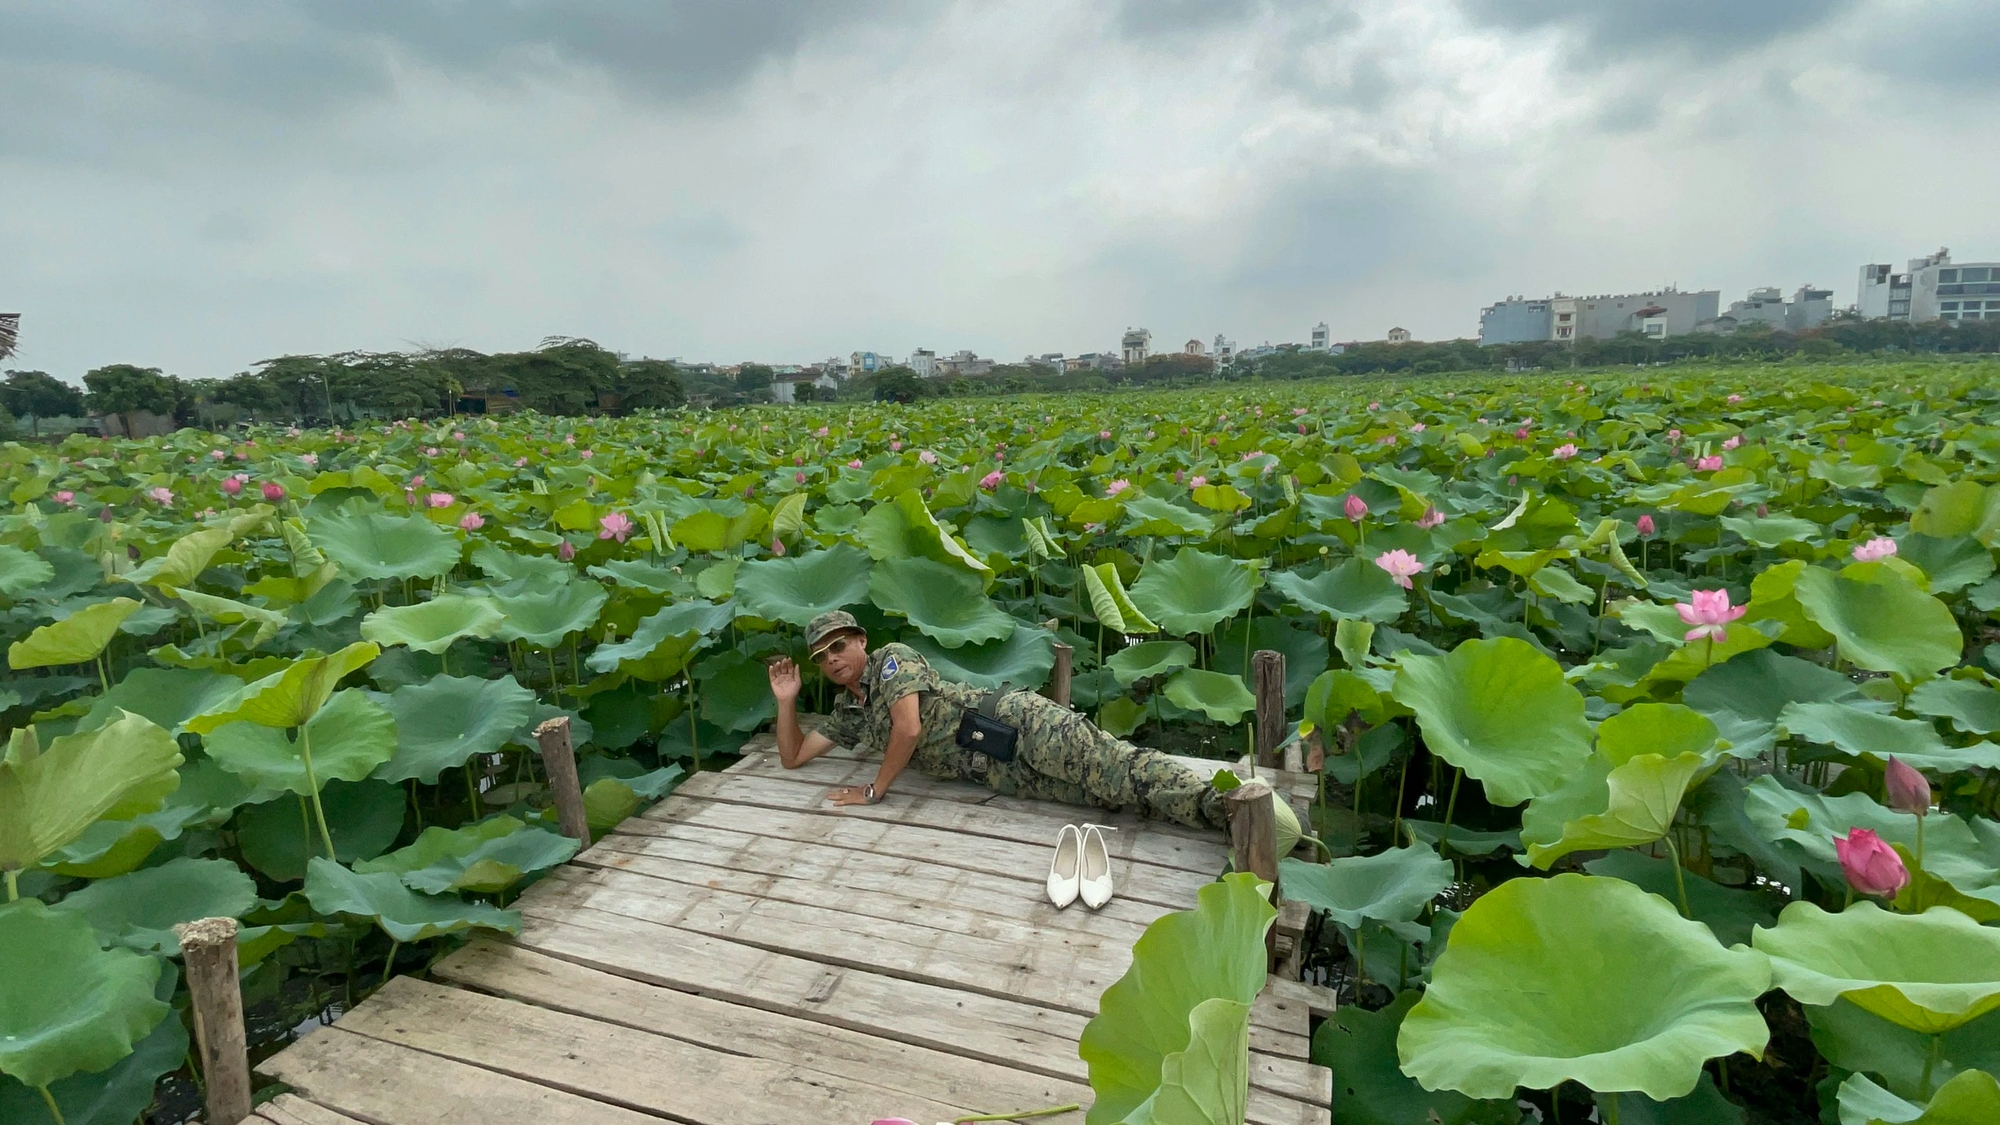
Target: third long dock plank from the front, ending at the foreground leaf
(919,1072)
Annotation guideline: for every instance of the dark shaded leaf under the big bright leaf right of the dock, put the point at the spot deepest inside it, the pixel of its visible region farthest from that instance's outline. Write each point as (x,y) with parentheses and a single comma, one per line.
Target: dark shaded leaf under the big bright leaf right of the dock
(1359,1048)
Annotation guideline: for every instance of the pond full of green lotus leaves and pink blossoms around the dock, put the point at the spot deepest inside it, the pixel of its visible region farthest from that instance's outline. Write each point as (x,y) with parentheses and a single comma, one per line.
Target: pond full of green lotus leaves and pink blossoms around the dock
(1651,710)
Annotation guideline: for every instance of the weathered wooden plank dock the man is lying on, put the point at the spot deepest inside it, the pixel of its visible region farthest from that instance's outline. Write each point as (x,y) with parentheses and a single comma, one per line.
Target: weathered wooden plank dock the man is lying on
(745,954)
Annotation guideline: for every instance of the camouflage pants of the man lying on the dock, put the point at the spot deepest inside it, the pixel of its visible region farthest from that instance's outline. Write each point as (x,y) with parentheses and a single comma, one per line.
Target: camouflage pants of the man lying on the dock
(1065,758)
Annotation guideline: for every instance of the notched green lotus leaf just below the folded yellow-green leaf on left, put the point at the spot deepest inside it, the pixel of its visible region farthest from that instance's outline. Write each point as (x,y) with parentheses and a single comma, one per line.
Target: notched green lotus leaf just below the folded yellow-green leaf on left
(347,740)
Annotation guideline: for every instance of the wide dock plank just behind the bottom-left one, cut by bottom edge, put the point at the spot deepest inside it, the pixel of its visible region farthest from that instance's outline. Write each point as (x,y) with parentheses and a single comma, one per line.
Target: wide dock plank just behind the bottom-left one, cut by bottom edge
(621,1066)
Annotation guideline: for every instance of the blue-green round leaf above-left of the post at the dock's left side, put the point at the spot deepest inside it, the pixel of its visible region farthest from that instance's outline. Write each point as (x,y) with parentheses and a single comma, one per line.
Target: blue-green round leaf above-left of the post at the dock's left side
(445,722)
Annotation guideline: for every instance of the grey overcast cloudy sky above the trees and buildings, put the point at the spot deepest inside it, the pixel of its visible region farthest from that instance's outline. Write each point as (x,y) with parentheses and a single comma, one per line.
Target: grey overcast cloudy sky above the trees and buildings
(201,185)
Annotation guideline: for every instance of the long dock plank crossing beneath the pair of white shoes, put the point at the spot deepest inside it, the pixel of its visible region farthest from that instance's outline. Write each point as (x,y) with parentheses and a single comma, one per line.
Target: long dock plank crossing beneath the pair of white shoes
(1145,882)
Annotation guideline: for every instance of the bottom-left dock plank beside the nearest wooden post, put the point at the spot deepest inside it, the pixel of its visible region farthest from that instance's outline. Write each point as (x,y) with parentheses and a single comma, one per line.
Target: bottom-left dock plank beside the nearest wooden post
(385,1084)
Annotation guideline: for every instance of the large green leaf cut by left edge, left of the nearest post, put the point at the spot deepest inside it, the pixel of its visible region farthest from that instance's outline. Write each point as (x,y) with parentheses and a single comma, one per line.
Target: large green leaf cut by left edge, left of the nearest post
(65,1004)
